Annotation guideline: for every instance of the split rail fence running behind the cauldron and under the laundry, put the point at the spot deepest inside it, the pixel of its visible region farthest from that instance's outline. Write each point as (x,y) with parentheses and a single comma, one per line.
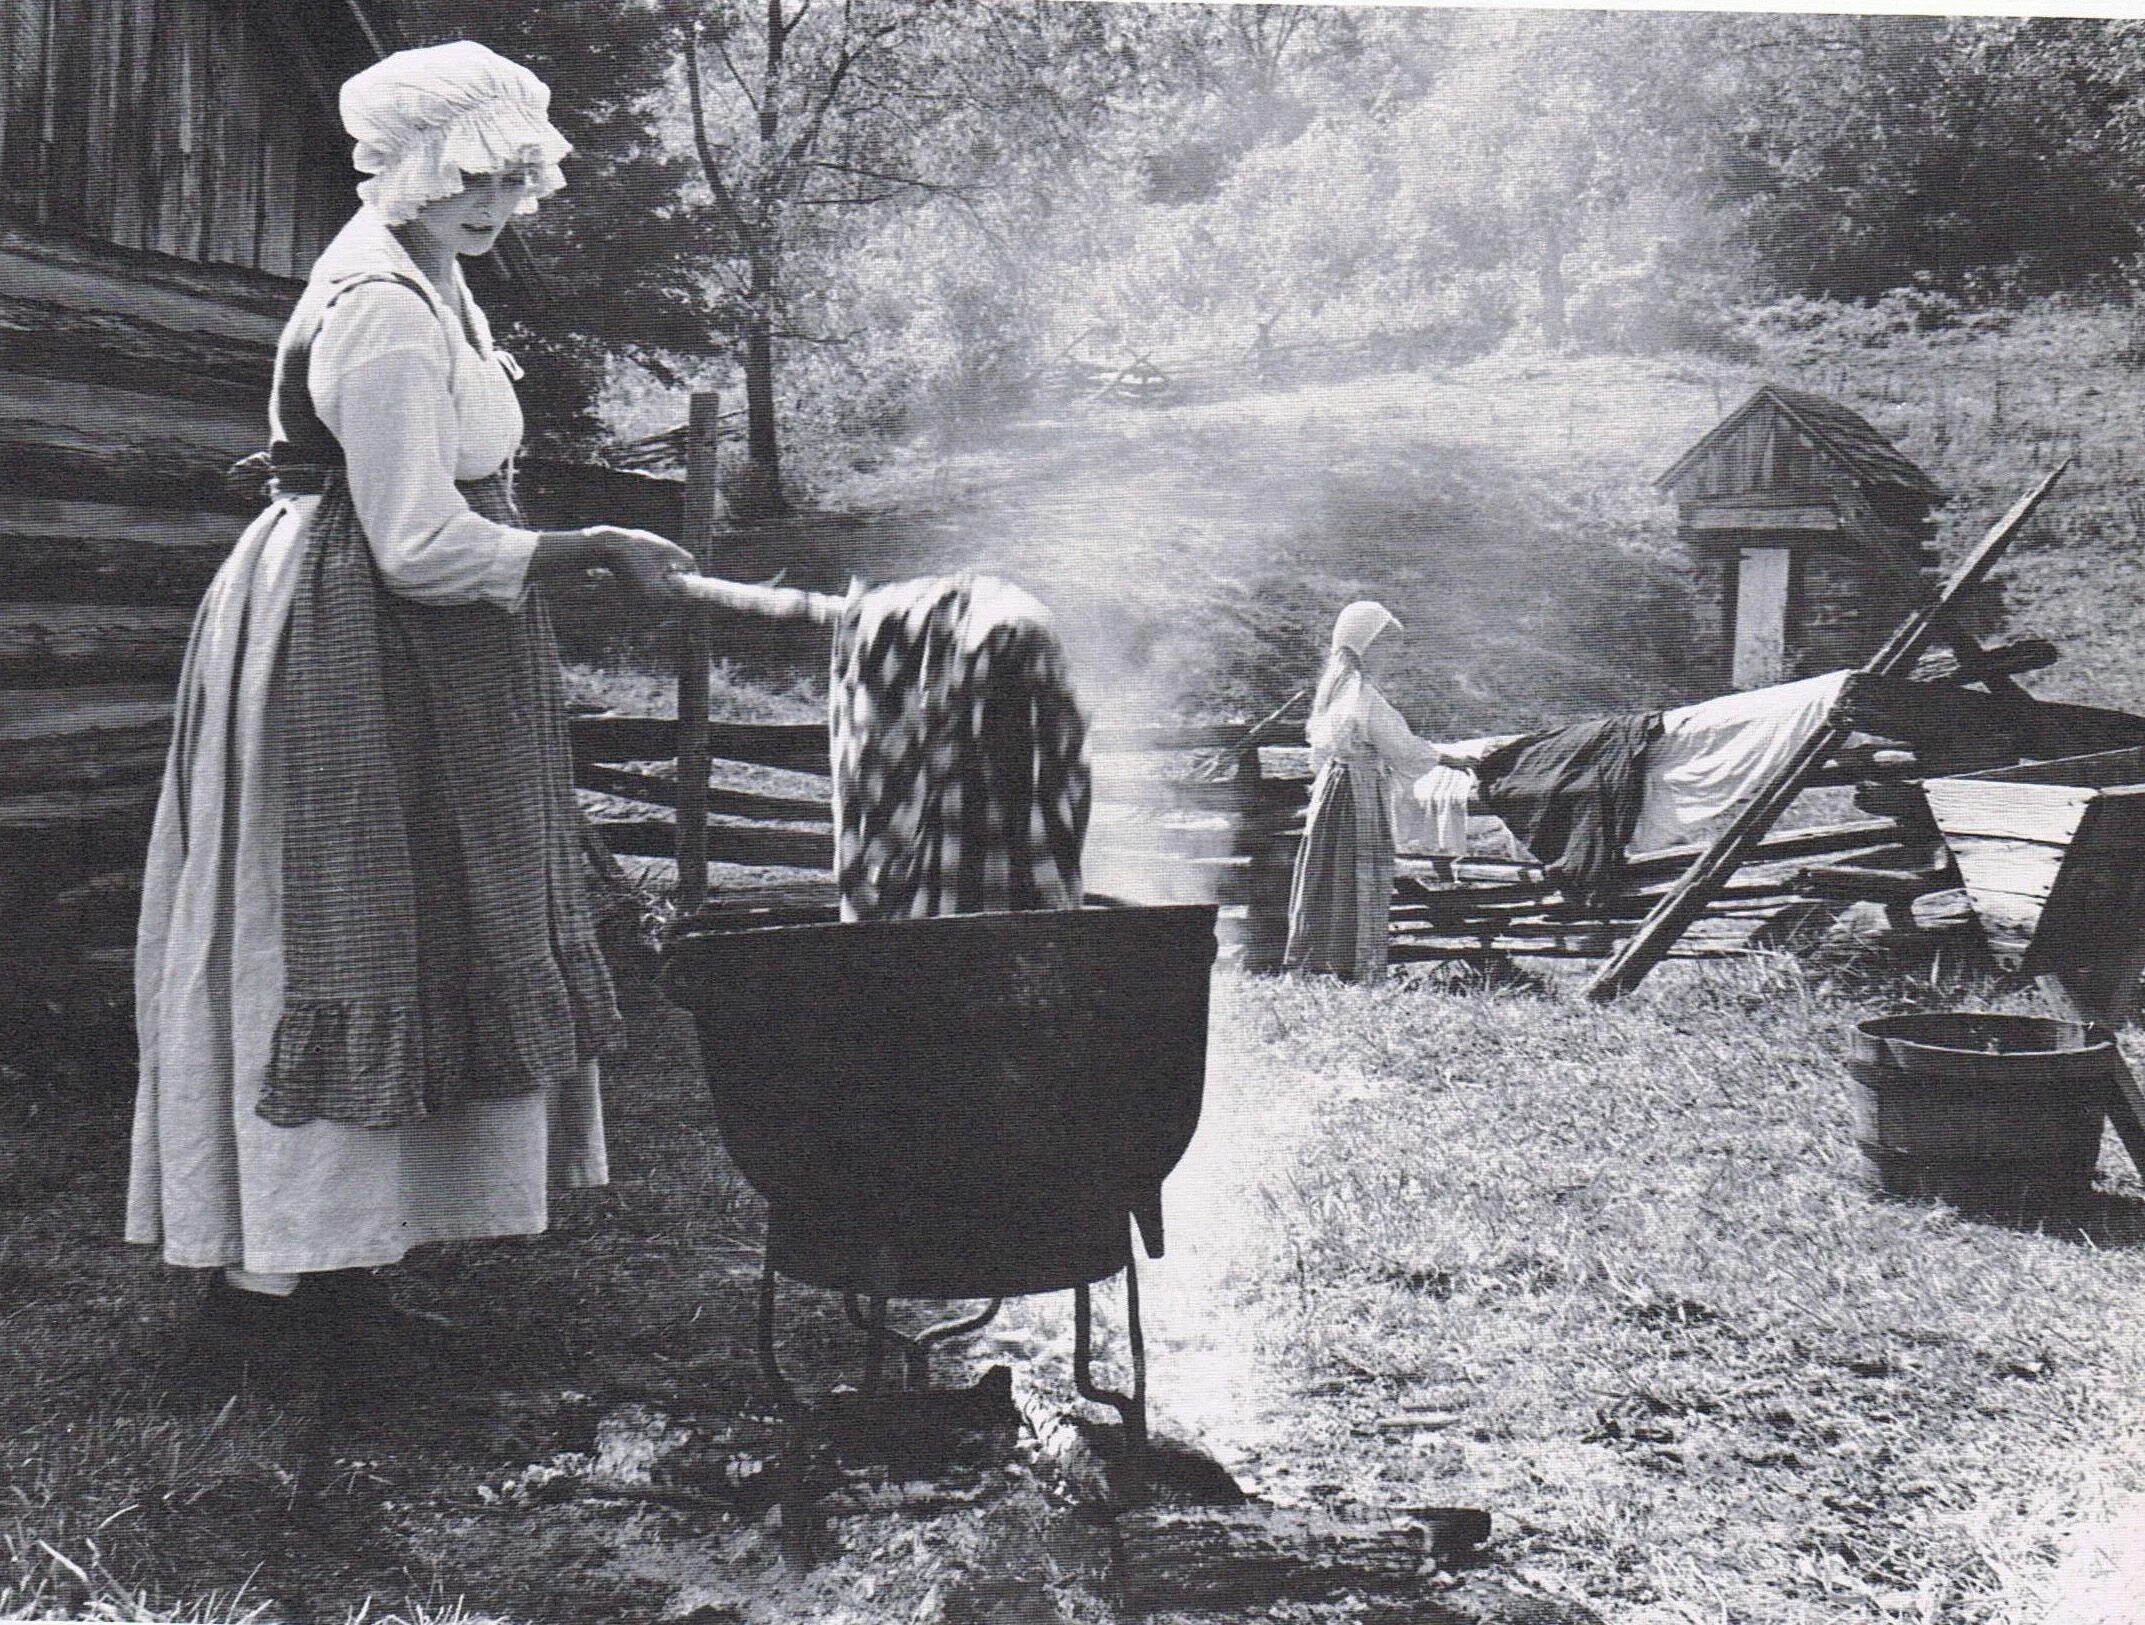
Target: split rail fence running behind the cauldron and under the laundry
(1202,814)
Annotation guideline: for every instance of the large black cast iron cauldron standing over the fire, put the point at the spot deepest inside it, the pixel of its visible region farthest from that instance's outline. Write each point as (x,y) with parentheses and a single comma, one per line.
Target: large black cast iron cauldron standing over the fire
(958,1107)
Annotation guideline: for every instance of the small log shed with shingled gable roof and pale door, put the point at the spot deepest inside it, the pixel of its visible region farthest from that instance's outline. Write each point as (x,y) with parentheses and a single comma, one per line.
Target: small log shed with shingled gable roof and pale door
(1809,531)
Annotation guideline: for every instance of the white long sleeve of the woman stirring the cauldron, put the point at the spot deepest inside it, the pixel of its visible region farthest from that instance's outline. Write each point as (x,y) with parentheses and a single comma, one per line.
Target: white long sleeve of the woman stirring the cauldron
(381,383)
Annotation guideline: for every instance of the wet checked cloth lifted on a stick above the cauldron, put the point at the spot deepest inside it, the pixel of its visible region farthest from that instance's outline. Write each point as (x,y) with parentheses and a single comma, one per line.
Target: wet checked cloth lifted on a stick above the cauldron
(960,756)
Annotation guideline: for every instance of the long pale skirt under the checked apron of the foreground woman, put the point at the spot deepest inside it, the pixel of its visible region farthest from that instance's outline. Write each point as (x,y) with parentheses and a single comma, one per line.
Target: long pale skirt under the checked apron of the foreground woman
(213,1182)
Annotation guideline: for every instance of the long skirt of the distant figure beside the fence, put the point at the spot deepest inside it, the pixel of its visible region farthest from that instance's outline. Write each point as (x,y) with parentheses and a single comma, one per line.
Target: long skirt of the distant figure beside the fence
(1342,899)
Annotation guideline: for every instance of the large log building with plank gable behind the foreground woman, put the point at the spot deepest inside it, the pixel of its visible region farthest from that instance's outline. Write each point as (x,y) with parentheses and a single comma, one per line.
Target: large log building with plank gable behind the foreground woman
(168,175)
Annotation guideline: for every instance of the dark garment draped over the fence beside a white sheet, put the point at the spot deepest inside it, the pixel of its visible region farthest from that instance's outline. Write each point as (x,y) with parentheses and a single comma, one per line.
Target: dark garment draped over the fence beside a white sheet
(1571,796)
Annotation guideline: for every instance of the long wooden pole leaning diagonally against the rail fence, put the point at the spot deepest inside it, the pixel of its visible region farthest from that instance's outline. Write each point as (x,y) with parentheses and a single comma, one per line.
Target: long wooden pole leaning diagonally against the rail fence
(1689,897)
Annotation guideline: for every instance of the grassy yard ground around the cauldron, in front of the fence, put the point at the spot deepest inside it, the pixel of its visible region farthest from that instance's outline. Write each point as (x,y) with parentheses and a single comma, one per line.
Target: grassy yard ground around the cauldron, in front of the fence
(1612,1274)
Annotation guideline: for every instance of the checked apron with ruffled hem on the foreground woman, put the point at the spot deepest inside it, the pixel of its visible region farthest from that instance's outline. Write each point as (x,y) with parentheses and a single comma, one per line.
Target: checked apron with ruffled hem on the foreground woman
(437,925)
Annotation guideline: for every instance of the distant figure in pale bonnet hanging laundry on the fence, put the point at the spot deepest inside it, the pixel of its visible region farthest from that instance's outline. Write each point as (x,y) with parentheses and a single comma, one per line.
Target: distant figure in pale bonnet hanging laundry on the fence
(1363,754)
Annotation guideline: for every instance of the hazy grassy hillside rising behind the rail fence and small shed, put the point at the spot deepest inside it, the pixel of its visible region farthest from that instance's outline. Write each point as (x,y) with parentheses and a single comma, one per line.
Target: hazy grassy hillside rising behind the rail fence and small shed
(1503,507)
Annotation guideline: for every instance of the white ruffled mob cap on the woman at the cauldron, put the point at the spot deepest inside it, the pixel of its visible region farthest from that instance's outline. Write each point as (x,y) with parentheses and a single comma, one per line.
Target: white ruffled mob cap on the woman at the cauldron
(430,119)
